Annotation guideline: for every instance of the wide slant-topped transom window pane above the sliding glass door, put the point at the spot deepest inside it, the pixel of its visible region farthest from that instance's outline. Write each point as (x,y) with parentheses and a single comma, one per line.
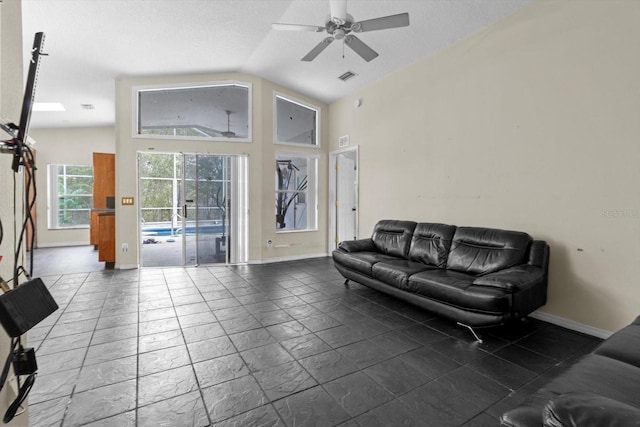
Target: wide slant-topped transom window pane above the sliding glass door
(214,111)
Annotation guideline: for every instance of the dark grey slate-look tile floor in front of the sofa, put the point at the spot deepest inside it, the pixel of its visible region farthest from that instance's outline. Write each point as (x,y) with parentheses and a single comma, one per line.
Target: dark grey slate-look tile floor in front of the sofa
(273,345)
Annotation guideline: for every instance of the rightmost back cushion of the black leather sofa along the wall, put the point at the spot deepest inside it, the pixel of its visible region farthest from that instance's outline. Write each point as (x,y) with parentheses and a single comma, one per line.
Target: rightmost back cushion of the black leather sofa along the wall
(477,250)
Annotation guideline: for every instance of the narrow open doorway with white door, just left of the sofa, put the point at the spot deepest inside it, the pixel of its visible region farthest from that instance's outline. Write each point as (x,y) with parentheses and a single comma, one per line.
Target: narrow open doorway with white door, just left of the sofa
(343,215)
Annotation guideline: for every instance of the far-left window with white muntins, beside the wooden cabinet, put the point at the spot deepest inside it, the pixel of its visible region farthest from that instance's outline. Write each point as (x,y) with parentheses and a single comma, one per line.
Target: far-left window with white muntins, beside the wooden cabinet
(70,196)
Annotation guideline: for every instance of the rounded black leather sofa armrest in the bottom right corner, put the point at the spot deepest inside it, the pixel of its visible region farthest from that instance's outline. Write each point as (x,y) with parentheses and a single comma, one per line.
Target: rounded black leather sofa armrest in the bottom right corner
(589,410)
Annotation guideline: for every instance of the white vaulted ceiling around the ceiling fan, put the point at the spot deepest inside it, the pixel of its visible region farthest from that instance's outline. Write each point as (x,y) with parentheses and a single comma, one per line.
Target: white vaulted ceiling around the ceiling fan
(91,42)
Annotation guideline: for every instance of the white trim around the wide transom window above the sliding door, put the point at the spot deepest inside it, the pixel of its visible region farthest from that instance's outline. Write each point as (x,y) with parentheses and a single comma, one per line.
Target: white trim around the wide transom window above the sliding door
(135,110)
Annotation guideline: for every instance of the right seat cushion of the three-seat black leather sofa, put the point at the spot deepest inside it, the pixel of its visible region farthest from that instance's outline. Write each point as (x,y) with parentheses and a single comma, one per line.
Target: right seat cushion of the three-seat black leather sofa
(457,289)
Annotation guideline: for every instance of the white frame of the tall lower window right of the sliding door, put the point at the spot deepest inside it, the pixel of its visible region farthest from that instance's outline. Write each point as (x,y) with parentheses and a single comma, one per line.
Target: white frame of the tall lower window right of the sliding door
(311,192)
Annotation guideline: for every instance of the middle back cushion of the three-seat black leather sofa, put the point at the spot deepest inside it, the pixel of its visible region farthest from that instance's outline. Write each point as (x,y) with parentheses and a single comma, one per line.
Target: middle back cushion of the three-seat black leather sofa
(430,243)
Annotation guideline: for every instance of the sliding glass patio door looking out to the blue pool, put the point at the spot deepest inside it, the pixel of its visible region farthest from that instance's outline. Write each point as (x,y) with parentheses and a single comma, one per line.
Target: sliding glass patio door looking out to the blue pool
(192,209)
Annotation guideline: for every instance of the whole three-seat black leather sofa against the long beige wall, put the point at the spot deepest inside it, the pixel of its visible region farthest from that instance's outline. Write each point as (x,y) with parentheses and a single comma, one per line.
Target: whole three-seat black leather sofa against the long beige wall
(475,276)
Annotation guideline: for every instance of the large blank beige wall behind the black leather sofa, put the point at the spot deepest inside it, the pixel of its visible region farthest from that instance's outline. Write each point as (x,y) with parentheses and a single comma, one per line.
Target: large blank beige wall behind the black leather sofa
(531,124)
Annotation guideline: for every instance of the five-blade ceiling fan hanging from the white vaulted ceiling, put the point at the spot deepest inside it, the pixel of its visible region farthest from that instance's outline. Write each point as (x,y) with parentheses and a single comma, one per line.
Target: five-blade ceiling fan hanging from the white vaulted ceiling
(340,25)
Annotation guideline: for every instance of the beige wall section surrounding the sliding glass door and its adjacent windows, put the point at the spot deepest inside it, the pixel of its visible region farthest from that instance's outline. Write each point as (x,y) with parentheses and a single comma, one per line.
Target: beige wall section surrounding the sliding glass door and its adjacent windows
(261,157)
